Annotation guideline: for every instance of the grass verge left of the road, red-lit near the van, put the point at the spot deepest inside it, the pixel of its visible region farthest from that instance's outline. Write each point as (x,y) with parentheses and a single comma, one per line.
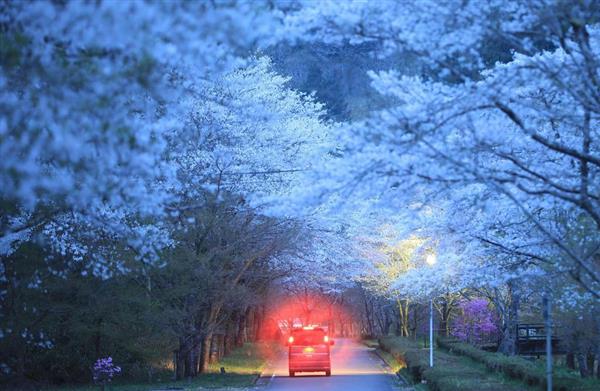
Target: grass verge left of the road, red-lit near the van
(242,367)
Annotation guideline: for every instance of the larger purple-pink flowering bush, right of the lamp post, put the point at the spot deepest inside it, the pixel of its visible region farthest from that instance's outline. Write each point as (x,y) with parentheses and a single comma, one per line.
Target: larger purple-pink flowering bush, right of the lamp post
(475,322)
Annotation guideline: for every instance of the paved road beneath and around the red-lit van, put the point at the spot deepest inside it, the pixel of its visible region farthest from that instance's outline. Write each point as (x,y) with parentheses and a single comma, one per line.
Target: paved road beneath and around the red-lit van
(354,368)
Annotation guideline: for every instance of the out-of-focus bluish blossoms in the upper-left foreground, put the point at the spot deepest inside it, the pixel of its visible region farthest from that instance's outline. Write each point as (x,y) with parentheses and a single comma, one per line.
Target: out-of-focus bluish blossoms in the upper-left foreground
(90,94)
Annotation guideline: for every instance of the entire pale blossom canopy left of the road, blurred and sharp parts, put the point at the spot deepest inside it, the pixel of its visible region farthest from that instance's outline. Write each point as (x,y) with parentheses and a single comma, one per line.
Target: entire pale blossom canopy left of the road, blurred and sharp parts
(115,114)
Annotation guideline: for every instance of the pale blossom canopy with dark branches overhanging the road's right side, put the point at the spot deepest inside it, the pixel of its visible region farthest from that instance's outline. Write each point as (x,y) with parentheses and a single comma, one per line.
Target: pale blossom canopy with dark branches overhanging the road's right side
(513,141)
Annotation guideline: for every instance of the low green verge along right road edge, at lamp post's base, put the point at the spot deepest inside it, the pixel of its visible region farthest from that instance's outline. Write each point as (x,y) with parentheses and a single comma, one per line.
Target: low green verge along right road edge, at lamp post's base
(450,372)
